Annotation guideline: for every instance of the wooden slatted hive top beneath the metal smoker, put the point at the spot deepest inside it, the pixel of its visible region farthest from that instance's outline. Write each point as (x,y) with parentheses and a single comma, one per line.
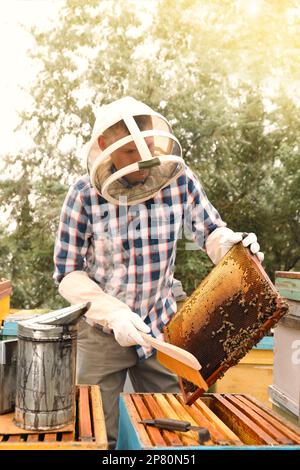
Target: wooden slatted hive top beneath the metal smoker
(88,432)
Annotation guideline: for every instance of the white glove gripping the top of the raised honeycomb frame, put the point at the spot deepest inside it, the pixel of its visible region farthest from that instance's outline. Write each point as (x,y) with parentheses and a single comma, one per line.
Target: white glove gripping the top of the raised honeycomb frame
(220,241)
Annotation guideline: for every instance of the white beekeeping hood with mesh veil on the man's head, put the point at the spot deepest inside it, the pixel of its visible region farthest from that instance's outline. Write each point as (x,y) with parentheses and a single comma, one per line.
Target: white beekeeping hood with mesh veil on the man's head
(143,141)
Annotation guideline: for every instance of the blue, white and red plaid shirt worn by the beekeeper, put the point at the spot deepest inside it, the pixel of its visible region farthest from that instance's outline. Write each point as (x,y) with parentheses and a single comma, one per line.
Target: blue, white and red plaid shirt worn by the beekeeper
(130,250)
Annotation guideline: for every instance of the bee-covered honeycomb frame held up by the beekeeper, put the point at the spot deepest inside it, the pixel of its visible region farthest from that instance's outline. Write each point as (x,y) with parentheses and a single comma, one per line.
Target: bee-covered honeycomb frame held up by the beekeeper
(237,292)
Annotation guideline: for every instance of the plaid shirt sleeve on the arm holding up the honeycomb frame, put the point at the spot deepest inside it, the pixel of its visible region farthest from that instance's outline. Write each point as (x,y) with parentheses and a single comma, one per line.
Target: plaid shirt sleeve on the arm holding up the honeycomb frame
(200,217)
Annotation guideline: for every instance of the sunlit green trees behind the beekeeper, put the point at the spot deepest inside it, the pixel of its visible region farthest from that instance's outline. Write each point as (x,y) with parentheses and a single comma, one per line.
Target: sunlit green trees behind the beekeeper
(227,79)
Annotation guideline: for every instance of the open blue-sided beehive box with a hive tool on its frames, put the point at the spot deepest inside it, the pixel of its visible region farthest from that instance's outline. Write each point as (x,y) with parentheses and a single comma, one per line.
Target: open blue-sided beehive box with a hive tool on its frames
(234,421)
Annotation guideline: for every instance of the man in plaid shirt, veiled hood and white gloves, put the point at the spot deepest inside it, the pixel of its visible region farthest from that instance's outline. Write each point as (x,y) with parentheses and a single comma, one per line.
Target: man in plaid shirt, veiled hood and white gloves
(116,247)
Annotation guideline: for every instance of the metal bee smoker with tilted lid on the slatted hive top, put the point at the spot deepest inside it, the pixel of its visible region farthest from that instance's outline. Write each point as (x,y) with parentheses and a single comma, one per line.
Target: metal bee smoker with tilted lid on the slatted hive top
(45,396)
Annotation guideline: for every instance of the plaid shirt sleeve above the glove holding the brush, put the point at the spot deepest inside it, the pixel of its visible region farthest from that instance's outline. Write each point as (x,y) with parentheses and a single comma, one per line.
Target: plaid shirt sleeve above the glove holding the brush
(72,238)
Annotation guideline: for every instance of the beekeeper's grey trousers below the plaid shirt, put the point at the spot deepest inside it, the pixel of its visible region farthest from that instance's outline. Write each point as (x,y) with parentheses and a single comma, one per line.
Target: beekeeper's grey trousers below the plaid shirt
(101,360)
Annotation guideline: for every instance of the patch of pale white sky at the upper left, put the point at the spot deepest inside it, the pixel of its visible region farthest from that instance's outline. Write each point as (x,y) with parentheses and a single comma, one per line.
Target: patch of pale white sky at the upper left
(17,69)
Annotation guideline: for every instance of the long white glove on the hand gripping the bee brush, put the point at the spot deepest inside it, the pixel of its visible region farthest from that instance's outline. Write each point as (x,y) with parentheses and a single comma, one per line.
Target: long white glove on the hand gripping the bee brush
(105,309)
